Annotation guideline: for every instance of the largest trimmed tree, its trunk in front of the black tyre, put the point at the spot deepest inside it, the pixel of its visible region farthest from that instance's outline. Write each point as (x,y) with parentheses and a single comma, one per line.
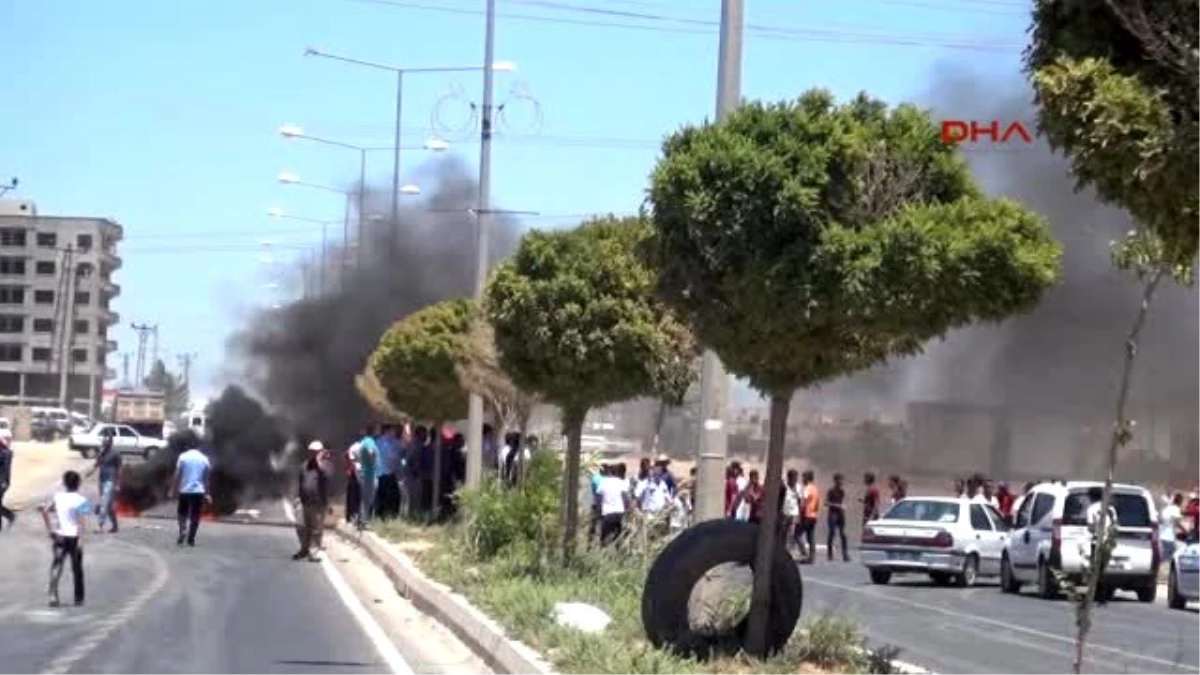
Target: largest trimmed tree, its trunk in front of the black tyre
(807,241)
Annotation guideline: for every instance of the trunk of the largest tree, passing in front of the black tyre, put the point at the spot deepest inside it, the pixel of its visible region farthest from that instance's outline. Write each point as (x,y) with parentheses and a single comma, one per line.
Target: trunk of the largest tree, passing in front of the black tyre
(765,553)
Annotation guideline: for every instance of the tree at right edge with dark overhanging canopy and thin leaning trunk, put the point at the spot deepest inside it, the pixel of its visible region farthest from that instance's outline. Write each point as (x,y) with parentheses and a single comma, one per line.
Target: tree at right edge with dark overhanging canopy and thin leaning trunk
(1117,89)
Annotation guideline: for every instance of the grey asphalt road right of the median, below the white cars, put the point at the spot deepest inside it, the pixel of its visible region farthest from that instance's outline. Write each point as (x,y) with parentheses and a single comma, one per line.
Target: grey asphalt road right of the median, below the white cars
(983,632)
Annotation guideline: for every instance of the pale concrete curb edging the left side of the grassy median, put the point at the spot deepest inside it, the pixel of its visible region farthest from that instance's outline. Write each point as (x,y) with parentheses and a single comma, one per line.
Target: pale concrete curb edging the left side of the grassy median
(481,634)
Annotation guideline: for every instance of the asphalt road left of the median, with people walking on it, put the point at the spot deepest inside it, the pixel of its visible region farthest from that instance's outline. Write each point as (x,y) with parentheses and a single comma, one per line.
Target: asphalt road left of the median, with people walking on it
(235,605)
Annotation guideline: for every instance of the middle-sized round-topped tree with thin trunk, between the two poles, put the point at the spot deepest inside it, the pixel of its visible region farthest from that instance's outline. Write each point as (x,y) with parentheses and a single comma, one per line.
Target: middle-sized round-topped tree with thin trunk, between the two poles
(577,322)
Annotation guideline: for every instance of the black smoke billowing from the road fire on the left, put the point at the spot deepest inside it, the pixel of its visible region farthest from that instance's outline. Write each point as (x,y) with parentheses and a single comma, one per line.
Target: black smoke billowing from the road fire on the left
(304,357)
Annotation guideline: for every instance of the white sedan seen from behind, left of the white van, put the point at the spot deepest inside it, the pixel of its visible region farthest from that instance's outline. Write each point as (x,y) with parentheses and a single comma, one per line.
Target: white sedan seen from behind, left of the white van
(951,540)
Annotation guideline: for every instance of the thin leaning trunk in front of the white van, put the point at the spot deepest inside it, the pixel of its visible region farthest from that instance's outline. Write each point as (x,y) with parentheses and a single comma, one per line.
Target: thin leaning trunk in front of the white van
(1120,439)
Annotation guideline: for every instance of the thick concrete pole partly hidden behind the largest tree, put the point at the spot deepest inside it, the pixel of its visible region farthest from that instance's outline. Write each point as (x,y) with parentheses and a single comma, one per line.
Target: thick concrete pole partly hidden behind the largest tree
(712,451)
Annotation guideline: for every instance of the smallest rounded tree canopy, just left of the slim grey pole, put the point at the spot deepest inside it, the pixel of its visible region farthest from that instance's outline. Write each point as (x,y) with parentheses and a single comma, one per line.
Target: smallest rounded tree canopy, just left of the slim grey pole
(418,357)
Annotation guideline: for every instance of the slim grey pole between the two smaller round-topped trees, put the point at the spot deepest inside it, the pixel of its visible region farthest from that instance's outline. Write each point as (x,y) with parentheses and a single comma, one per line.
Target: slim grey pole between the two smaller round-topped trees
(483,218)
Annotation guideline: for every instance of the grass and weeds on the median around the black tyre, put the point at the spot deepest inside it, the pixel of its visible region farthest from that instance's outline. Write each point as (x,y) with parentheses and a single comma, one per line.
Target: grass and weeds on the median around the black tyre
(500,557)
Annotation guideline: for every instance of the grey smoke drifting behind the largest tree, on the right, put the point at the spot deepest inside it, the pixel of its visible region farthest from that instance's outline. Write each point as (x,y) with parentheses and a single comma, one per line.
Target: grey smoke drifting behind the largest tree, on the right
(1063,360)
